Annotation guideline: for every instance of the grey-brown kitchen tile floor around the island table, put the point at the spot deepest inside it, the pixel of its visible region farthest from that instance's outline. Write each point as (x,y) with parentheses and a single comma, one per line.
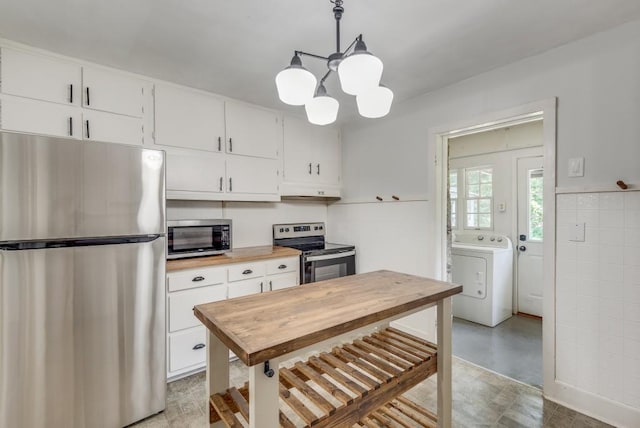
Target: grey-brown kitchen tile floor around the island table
(480,399)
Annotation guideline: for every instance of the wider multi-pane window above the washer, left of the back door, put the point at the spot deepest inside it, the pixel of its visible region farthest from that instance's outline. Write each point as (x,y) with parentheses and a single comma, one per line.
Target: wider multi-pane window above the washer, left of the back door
(478,198)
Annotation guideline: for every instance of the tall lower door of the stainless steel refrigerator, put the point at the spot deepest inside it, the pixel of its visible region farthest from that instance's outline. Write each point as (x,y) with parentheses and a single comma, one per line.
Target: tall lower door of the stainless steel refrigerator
(82,335)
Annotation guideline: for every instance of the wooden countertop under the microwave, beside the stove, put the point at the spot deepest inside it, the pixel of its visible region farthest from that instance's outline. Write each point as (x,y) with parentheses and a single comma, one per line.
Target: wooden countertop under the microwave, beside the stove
(239,255)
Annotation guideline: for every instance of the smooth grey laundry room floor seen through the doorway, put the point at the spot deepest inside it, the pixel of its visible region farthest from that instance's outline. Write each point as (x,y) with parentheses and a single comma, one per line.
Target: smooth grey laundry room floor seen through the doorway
(512,348)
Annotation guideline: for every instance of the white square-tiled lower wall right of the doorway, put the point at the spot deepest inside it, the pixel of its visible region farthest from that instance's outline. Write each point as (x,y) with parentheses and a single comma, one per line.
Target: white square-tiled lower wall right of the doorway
(598,295)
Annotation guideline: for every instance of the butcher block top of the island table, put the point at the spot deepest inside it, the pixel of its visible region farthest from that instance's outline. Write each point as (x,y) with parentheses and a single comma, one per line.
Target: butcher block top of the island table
(264,326)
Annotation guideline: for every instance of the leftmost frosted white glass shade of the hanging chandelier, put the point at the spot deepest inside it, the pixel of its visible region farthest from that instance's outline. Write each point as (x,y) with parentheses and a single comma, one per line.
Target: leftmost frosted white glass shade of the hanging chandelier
(295,83)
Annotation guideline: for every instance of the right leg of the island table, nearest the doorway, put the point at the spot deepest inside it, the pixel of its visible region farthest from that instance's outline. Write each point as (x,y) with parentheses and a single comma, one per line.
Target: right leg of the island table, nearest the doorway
(444,362)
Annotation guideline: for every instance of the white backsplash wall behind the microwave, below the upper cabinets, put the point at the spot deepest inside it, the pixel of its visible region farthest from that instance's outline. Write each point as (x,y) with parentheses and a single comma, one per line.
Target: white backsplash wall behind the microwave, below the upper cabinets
(252,221)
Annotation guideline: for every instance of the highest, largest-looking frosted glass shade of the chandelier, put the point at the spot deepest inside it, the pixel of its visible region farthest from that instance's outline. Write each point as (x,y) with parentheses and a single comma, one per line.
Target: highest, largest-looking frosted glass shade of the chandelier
(359,71)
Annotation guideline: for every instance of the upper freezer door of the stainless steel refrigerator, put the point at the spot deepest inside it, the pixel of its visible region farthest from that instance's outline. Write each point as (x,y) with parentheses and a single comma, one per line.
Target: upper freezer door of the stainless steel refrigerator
(53,188)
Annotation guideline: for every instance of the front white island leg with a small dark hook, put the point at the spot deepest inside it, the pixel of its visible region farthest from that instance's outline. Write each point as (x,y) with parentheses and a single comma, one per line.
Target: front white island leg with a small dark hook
(264,405)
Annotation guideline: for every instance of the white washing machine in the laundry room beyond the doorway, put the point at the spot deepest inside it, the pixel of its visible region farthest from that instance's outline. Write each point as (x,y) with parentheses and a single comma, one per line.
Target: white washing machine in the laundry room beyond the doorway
(483,264)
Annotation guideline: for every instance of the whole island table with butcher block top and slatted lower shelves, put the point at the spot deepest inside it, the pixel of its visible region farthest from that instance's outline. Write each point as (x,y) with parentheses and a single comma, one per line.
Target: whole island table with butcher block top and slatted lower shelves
(359,366)
